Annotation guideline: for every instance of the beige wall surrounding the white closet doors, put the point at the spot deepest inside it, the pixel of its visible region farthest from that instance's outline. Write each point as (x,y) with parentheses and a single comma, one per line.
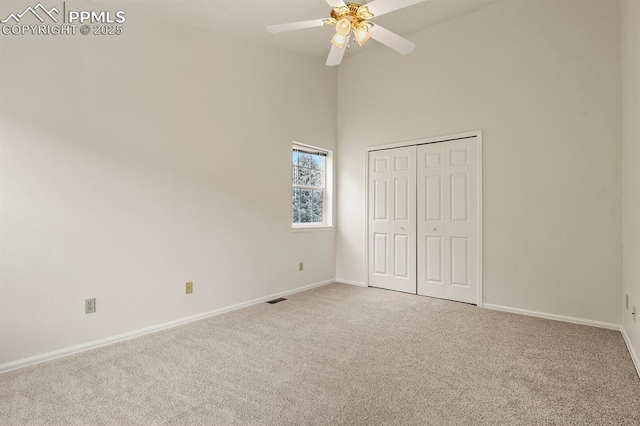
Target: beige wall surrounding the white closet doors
(542,80)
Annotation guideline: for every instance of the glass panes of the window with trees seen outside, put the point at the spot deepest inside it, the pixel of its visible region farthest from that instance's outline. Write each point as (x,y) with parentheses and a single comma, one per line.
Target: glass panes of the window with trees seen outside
(308,185)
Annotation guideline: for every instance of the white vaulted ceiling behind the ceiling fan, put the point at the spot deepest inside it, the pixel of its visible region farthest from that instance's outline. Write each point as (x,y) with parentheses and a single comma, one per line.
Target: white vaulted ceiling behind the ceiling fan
(248,19)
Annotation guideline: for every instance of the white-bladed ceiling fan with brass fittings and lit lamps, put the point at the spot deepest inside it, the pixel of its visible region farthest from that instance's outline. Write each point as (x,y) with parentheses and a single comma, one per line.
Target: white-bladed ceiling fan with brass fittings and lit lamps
(355,17)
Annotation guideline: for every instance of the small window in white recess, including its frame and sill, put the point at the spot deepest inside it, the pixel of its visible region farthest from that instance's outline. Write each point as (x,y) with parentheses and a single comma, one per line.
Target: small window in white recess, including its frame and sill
(310,192)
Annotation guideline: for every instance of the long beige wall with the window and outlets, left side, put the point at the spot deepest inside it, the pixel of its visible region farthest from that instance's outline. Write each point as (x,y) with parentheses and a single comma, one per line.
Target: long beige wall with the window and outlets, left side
(132,164)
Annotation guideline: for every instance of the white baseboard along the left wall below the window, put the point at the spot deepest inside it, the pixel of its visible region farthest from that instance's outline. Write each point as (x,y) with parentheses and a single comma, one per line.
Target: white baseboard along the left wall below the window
(148,330)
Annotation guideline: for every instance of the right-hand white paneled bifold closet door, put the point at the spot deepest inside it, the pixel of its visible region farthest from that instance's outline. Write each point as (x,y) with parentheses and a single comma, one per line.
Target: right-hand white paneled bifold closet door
(448,234)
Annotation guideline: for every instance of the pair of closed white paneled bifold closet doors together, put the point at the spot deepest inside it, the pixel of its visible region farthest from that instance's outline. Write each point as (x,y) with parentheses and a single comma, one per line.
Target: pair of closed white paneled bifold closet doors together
(424,219)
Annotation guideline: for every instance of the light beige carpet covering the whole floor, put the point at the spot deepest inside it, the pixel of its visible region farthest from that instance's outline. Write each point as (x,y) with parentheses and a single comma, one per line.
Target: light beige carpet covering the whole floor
(340,355)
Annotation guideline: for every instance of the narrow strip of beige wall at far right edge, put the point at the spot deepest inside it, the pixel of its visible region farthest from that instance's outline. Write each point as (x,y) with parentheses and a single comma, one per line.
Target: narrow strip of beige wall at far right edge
(630,14)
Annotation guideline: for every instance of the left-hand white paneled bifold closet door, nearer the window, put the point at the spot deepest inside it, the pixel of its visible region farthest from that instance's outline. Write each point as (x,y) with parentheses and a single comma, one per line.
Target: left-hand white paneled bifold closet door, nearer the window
(392,219)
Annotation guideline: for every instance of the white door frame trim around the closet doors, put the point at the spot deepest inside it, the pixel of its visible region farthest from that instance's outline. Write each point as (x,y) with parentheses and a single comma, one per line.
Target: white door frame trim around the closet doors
(445,138)
